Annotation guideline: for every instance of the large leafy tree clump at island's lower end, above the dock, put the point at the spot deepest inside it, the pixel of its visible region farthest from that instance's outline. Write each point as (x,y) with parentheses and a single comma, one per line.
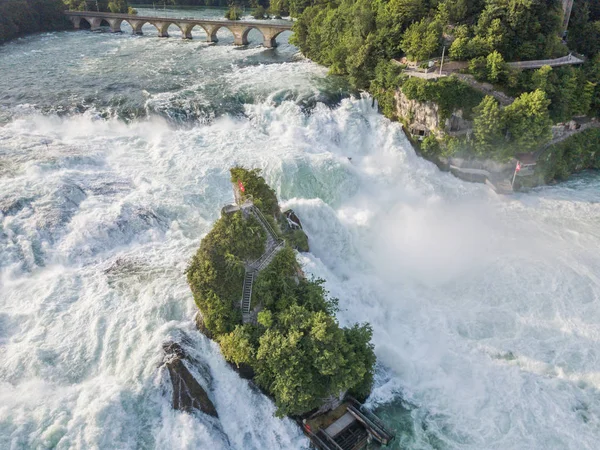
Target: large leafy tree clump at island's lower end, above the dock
(308,358)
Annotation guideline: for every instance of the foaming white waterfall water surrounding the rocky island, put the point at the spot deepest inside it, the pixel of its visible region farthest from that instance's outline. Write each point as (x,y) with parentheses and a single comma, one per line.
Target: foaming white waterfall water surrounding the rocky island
(484,307)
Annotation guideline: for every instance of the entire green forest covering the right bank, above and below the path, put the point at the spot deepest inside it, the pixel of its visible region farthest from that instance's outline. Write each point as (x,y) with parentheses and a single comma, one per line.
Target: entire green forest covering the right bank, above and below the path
(360,39)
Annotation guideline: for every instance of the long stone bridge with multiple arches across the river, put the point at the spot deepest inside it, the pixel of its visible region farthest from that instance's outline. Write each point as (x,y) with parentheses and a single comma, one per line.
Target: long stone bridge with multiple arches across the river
(238,28)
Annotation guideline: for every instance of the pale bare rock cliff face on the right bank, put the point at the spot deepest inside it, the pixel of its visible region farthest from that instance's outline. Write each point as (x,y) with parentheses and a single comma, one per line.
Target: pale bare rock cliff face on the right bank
(426,117)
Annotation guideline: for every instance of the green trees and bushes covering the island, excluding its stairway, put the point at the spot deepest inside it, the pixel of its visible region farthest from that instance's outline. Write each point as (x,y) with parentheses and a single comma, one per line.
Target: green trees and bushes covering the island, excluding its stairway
(298,351)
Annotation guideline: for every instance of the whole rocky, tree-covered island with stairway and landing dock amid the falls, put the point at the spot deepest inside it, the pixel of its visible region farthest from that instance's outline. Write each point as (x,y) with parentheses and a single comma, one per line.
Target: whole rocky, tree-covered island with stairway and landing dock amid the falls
(276,326)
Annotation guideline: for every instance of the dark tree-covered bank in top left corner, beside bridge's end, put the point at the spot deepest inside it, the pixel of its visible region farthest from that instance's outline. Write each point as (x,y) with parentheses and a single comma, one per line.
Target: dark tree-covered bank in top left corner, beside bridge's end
(30,16)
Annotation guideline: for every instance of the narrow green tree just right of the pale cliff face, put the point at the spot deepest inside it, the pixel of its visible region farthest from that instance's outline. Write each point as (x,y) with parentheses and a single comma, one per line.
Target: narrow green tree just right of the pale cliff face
(488,127)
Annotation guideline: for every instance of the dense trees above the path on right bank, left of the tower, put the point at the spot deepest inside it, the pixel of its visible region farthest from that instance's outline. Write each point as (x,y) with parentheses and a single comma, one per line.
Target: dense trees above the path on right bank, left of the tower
(353,36)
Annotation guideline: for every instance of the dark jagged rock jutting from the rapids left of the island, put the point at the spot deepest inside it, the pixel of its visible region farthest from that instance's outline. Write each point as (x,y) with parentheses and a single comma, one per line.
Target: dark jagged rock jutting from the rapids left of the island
(188,394)
